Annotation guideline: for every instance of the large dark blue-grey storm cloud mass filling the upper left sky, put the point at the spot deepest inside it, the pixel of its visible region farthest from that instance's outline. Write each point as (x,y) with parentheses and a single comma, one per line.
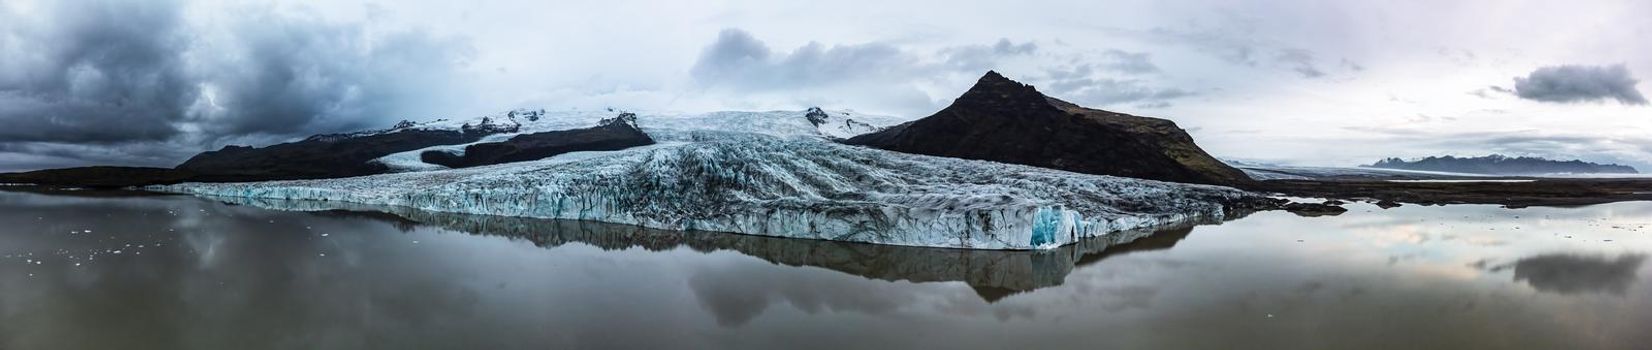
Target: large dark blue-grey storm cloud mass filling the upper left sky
(136,80)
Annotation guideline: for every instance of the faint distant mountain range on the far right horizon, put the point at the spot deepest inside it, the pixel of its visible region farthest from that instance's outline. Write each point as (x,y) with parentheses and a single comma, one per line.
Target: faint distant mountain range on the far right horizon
(1501,166)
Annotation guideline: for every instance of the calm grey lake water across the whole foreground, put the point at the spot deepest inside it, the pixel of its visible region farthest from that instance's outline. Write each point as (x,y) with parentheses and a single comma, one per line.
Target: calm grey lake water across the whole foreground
(189,273)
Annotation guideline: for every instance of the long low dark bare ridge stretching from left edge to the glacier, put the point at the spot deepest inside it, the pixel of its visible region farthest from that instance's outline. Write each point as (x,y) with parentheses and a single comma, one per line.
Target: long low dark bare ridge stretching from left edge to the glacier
(336,156)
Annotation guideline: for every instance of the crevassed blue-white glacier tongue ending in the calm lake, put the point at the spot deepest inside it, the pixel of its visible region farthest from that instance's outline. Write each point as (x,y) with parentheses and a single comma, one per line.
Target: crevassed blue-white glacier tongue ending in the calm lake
(784,187)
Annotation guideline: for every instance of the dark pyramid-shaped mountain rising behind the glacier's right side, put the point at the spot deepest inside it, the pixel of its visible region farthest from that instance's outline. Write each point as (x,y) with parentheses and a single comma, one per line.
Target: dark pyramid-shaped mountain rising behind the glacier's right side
(1007,121)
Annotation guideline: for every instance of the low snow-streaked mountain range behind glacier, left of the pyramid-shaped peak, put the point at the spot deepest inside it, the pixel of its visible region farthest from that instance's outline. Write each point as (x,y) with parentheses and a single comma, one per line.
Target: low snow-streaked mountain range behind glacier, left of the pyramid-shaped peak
(513,136)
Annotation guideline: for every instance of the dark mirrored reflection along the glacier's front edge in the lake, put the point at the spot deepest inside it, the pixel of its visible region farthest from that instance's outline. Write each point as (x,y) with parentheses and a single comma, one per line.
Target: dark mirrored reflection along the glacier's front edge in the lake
(994,275)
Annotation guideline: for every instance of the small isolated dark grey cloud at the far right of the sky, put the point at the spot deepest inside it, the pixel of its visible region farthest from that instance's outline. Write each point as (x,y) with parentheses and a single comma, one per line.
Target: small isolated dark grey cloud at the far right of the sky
(1574,83)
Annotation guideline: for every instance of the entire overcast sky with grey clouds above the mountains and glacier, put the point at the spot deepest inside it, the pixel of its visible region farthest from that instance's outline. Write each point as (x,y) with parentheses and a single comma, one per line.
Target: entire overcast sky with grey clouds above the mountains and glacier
(1314,83)
